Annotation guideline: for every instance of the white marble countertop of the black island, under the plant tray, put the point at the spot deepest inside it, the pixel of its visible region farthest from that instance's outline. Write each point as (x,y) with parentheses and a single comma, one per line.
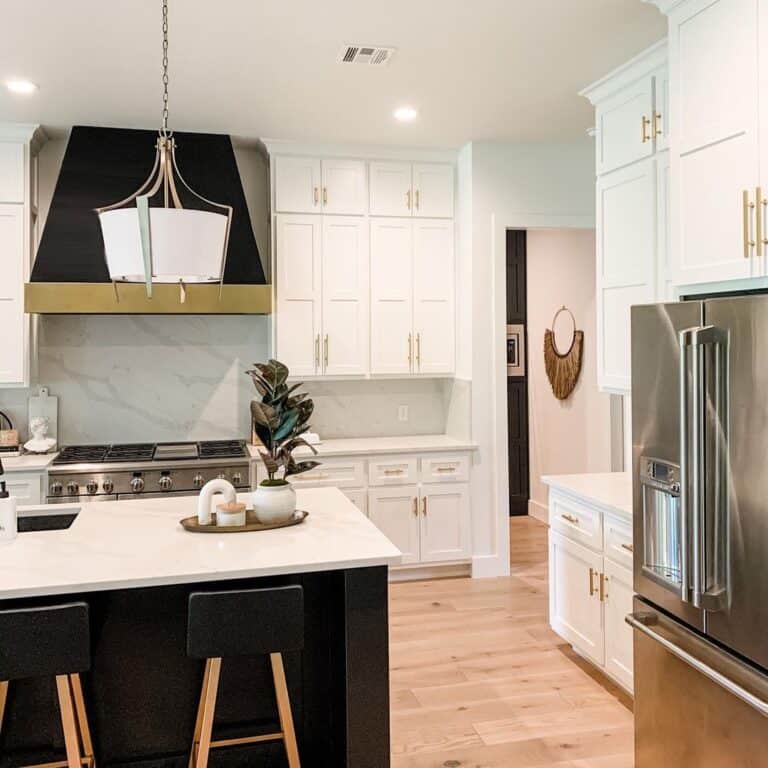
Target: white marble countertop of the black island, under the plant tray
(125,544)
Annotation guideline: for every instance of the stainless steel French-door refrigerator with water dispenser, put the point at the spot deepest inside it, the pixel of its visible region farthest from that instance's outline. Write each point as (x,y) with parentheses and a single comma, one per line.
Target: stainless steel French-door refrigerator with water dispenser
(700,479)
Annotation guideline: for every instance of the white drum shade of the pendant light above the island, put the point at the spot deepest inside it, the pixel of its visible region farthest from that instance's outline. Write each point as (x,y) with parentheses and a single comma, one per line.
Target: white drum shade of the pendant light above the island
(187,245)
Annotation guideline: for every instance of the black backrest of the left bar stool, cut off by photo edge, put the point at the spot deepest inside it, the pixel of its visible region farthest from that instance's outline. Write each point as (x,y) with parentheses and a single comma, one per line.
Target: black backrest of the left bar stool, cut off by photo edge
(44,641)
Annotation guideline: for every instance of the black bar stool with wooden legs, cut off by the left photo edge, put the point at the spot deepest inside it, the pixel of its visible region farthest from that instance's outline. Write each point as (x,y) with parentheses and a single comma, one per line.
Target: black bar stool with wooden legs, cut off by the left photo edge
(51,641)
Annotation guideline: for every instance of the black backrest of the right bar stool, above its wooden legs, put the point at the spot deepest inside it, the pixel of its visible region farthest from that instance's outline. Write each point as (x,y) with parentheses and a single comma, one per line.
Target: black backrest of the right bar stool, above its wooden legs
(245,622)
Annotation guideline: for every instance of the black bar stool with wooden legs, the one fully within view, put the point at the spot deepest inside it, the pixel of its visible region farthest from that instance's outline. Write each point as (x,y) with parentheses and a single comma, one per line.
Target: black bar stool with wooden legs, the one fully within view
(244,623)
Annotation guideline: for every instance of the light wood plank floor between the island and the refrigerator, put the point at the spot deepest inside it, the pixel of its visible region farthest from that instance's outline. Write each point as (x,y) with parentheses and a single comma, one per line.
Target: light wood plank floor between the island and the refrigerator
(480,681)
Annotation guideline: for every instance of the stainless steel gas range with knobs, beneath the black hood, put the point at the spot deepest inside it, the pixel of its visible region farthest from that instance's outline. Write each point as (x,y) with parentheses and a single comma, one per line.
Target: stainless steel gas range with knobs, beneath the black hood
(148,470)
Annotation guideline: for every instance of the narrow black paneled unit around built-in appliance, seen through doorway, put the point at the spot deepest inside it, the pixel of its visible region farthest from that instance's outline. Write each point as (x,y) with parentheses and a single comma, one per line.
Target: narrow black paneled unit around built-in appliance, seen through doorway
(517,386)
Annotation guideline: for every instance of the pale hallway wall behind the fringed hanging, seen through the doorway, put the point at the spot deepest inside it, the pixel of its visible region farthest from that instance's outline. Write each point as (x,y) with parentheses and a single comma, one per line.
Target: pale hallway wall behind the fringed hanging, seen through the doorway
(573,435)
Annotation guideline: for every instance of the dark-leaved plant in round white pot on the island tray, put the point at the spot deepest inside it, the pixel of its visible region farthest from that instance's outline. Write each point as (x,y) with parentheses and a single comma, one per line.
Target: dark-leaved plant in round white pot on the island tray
(279,418)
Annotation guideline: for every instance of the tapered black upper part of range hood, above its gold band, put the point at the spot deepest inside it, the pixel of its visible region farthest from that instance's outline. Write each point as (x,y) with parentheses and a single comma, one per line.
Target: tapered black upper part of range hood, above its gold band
(102,166)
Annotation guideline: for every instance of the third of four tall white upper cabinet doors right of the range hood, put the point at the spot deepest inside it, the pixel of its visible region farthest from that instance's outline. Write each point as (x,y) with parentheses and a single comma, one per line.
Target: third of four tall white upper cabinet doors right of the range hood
(391,296)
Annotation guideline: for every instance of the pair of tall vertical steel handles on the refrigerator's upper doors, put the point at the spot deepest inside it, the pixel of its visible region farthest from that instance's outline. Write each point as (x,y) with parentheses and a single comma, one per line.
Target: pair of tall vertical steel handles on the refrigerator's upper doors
(694,575)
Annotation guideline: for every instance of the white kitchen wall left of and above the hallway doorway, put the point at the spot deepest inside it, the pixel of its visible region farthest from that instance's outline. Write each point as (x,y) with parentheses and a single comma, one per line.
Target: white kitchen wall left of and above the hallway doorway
(513,186)
